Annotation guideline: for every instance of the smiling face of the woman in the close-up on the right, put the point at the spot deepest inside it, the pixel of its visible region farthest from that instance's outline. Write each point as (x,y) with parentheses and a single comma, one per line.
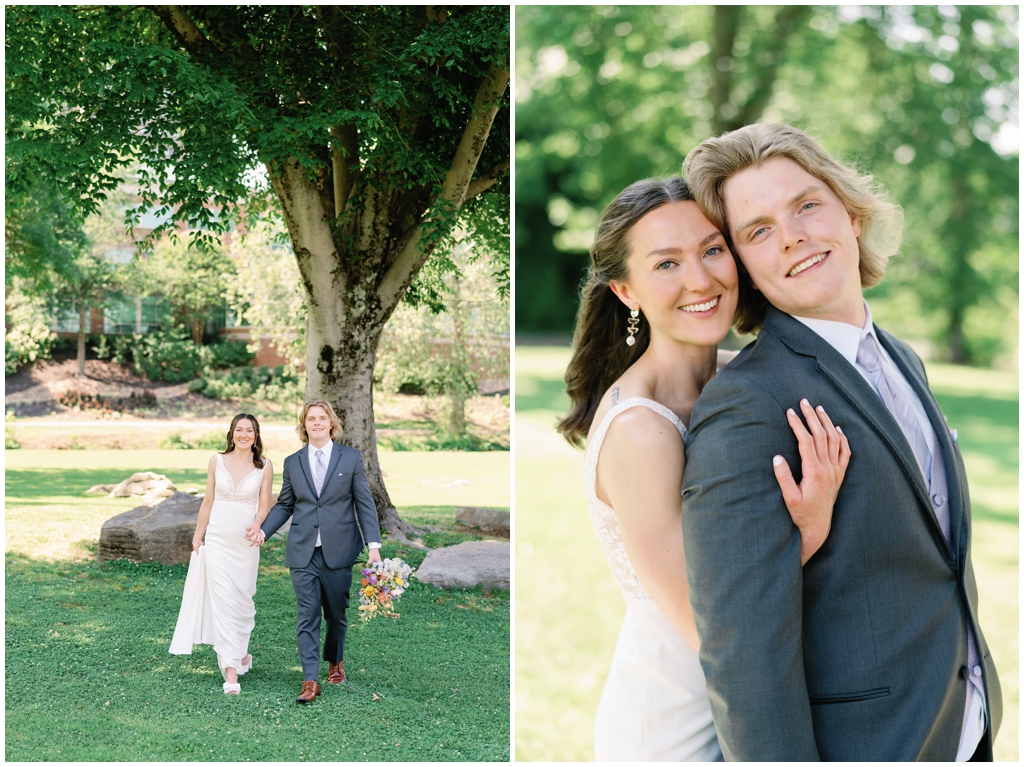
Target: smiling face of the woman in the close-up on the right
(681,276)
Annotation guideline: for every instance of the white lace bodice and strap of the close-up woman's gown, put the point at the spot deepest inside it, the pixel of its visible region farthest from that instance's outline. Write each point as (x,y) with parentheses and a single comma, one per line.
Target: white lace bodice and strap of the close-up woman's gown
(603,516)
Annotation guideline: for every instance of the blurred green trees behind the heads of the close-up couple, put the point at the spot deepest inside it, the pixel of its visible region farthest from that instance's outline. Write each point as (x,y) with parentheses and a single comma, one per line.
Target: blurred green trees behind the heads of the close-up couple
(925,98)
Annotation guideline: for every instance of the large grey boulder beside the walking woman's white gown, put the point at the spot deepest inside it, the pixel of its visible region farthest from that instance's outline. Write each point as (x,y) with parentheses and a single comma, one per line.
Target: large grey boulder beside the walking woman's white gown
(152,534)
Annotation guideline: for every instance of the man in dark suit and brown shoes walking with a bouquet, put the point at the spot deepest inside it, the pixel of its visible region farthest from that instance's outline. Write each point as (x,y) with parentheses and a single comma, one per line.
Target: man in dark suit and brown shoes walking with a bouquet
(325,491)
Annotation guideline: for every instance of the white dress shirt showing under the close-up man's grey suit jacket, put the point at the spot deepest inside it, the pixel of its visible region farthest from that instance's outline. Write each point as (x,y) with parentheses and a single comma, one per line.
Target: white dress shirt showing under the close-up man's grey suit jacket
(846,340)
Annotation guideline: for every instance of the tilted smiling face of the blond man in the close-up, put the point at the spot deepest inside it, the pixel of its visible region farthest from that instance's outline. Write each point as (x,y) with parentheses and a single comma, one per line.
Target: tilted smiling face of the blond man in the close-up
(797,240)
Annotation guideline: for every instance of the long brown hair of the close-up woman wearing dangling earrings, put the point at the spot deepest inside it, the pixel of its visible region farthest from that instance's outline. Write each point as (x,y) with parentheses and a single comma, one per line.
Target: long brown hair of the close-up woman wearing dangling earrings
(600,352)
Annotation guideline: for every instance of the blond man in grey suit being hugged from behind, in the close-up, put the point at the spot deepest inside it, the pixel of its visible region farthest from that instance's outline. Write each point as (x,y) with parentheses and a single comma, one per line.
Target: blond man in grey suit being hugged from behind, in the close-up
(873,650)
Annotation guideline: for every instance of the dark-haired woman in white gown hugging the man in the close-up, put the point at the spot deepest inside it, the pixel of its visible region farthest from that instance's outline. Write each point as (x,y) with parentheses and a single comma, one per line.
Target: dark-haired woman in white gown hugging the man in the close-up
(661,295)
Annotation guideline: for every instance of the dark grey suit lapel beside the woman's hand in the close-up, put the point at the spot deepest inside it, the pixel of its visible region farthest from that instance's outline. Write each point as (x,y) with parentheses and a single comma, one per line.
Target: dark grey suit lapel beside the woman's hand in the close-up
(845,378)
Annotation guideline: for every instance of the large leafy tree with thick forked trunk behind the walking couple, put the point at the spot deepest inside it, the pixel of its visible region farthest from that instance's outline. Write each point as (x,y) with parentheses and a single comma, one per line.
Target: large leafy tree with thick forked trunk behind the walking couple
(373,125)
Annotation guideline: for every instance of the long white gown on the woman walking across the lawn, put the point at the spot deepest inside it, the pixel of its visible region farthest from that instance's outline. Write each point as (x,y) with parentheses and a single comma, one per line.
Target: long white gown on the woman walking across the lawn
(218,605)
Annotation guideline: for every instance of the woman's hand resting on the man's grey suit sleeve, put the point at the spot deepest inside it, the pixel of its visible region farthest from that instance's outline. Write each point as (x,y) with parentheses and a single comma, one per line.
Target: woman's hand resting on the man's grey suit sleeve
(825,454)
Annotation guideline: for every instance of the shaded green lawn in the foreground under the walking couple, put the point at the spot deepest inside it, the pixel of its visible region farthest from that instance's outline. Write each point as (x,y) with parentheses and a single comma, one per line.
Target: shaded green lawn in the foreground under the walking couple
(433,687)
